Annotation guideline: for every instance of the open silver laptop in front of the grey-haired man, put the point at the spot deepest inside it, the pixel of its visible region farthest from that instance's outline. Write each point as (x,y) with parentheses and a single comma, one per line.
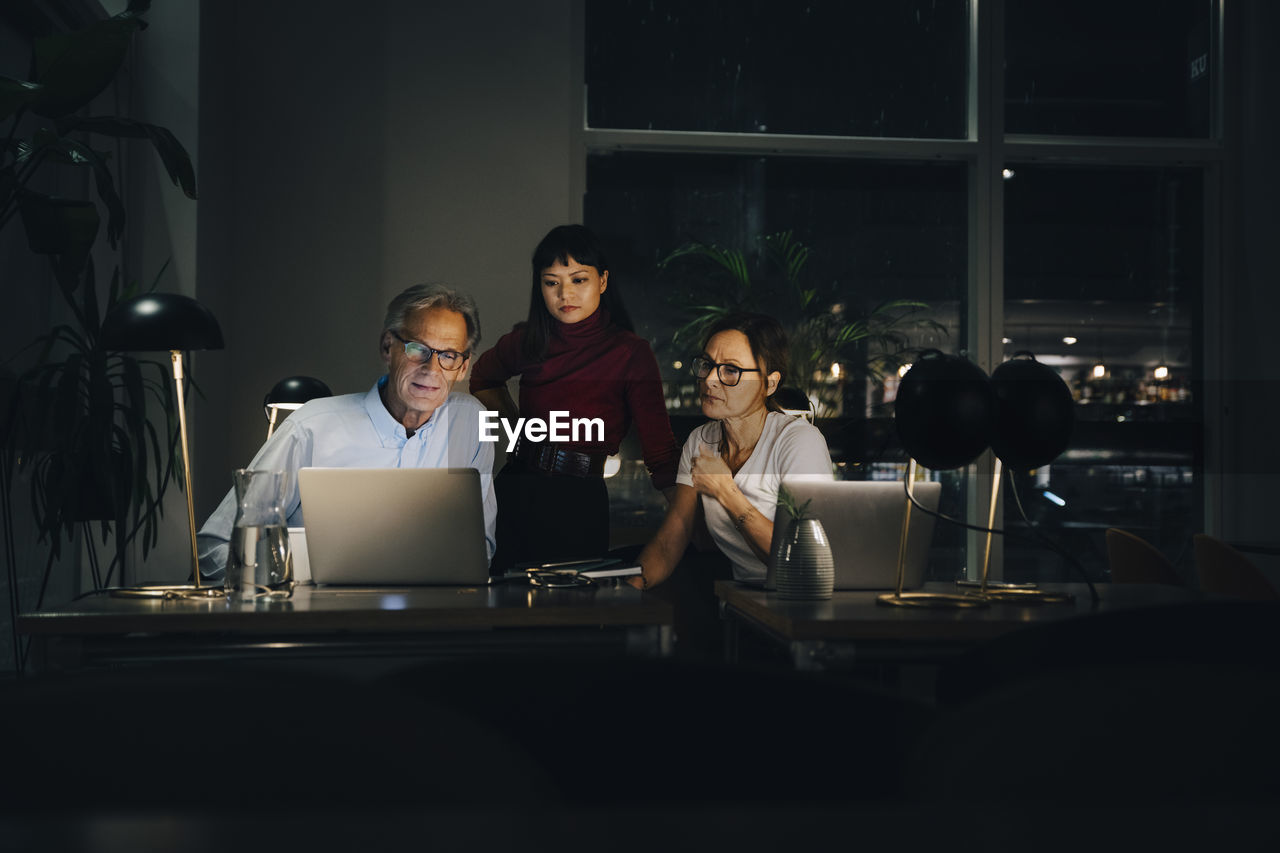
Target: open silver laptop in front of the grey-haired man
(395,526)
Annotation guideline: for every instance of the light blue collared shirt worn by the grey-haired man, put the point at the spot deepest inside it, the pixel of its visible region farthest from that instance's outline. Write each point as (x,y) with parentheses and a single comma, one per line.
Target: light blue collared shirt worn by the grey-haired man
(356,431)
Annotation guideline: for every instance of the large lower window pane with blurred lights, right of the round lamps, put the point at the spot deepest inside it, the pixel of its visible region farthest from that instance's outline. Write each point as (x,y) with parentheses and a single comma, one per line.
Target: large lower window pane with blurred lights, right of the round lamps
(1110,258)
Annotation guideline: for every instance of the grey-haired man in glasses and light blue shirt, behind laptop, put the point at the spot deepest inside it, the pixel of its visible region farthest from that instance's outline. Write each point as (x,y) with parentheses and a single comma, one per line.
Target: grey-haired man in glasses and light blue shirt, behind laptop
(409,418)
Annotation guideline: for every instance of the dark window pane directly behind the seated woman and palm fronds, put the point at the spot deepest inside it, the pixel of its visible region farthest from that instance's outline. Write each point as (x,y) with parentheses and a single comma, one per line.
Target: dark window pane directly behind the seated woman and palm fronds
(875,232)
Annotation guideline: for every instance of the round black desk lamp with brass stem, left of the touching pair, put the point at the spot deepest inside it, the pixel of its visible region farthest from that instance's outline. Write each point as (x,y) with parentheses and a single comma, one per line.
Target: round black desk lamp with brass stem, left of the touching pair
(944,416)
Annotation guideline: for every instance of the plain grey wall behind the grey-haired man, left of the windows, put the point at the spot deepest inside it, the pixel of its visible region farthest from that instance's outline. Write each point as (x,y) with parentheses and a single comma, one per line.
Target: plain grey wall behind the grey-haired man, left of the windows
(350,152)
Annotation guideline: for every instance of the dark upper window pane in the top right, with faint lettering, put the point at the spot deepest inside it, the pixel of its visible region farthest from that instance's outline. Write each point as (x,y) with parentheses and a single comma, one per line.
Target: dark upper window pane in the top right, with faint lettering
(1107,69)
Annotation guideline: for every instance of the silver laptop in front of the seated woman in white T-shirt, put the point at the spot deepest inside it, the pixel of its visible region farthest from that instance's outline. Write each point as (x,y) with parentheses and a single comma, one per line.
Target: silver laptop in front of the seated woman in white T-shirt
(865,524)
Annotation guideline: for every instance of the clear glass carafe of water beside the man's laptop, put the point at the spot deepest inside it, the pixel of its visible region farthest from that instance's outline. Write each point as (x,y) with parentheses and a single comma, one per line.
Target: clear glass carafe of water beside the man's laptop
(259,563)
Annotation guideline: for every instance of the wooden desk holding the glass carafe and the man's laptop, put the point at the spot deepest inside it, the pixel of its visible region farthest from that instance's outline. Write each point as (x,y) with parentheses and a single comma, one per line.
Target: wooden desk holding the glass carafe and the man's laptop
(394,624)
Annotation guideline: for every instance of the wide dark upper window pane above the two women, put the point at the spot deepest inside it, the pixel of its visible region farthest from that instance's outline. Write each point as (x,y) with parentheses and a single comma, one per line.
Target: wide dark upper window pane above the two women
(825,67)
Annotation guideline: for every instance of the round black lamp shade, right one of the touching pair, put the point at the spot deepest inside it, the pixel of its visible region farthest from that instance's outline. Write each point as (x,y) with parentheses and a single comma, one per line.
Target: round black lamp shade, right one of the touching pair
(1035,413)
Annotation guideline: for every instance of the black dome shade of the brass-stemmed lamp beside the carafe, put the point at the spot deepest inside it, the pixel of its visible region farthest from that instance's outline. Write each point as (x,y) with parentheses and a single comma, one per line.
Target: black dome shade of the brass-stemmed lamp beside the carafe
(161,322)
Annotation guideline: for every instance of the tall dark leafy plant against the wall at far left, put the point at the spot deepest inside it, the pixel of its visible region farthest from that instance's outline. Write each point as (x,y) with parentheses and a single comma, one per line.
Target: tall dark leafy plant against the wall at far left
(75,427)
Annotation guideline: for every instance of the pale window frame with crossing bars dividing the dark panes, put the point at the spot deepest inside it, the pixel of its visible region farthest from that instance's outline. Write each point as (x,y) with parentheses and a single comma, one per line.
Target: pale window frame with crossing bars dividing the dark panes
(986,149)
